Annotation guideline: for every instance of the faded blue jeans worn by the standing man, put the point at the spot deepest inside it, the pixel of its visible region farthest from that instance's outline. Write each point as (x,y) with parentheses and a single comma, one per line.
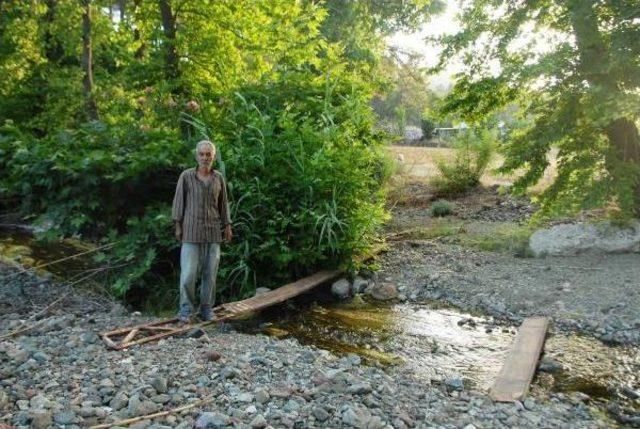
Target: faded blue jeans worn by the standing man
(198,258)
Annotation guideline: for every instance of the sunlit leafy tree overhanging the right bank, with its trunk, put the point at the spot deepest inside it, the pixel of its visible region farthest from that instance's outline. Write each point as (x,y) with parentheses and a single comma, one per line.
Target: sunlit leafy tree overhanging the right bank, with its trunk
(573,67)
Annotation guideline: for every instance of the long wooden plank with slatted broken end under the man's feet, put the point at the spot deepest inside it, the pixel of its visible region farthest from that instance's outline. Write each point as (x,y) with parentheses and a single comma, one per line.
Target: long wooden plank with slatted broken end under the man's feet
(122,338)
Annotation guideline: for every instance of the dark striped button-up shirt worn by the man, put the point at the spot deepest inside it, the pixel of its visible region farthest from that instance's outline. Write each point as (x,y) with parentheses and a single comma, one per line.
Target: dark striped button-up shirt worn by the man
(201,207)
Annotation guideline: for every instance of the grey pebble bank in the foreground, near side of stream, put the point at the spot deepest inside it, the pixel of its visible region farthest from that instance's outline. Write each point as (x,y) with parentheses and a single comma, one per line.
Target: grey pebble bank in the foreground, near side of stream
(61,375)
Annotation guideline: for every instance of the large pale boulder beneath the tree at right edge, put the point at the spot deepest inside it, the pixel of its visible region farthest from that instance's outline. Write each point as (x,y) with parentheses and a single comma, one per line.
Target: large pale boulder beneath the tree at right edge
(571,239)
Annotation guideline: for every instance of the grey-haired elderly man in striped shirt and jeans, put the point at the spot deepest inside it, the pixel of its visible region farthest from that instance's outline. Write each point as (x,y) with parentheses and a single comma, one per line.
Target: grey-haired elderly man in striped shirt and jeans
(201,216)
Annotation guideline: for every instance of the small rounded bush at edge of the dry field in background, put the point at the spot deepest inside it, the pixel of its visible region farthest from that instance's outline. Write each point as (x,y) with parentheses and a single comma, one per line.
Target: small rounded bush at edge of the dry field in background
(473,153)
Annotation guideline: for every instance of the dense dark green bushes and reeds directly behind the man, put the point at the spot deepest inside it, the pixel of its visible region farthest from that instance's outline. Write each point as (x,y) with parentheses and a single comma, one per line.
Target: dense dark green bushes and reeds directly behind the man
(305,170)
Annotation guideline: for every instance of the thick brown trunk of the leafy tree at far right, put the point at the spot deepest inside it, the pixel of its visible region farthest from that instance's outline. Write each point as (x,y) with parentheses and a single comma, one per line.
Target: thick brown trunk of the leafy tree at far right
(594,56)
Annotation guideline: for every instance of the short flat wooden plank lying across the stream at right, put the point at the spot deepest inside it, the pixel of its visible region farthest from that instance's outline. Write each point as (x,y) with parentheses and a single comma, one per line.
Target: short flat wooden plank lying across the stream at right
(517,372)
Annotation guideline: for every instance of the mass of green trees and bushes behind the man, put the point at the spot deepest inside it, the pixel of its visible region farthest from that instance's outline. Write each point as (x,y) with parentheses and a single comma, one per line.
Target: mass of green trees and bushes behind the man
(102,101)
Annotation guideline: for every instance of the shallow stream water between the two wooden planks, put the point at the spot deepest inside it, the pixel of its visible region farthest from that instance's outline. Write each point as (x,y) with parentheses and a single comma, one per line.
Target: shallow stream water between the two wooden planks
(434,342)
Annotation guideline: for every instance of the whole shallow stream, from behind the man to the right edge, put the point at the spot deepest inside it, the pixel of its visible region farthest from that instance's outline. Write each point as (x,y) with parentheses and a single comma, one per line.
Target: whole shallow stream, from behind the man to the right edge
(438,343)
